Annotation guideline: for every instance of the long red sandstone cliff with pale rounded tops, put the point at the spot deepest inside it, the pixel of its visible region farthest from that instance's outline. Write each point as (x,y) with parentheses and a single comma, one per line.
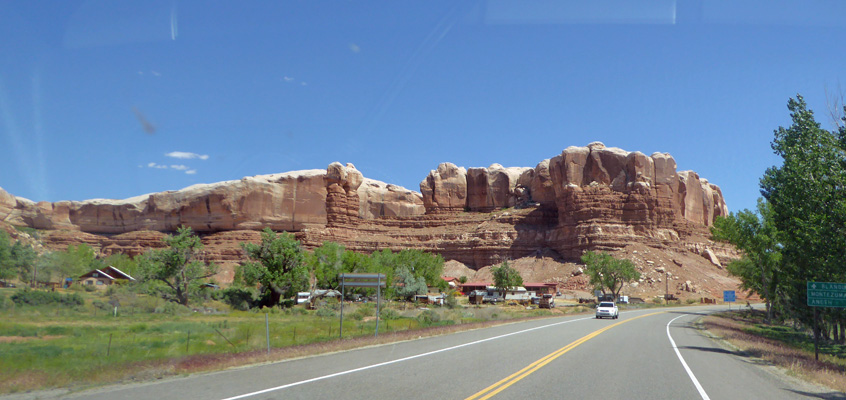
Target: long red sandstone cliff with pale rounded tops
(586,198)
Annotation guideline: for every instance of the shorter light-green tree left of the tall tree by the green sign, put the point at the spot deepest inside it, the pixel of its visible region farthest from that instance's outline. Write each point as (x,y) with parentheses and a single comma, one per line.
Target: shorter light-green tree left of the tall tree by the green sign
(756,236)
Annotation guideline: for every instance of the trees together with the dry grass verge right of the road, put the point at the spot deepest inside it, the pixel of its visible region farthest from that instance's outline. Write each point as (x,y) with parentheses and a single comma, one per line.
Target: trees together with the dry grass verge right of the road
(796,235)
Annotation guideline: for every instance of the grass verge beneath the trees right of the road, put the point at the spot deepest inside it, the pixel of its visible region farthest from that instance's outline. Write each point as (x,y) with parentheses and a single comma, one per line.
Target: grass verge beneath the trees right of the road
(782,346)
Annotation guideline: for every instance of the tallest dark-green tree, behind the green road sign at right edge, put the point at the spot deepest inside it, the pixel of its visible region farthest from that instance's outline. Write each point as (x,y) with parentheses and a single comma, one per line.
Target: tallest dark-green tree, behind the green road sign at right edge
(807,195)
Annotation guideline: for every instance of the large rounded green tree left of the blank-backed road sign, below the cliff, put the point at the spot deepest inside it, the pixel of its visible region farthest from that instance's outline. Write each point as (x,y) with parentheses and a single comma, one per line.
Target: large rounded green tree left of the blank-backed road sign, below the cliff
(278,265)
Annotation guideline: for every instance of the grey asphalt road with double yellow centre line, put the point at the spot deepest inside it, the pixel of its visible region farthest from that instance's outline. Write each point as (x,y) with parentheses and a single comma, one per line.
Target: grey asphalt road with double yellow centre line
(645,354)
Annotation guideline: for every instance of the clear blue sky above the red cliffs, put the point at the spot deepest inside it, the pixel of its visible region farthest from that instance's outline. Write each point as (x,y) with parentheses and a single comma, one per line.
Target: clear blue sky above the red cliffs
(105,99)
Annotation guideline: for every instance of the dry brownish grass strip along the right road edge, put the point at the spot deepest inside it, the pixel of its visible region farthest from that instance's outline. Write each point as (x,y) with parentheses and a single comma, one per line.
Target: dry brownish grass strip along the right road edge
(828,371)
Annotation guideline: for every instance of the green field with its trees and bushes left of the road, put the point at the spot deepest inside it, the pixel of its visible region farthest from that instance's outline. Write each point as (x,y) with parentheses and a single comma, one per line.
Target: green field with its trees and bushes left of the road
(175,319)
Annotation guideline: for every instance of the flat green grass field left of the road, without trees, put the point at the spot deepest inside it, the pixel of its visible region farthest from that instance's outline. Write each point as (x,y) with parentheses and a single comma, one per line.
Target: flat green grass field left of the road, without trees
(50,346)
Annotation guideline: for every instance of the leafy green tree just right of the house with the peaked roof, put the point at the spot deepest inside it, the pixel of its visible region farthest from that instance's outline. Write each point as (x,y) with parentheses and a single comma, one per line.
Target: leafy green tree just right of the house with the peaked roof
(176,268)
